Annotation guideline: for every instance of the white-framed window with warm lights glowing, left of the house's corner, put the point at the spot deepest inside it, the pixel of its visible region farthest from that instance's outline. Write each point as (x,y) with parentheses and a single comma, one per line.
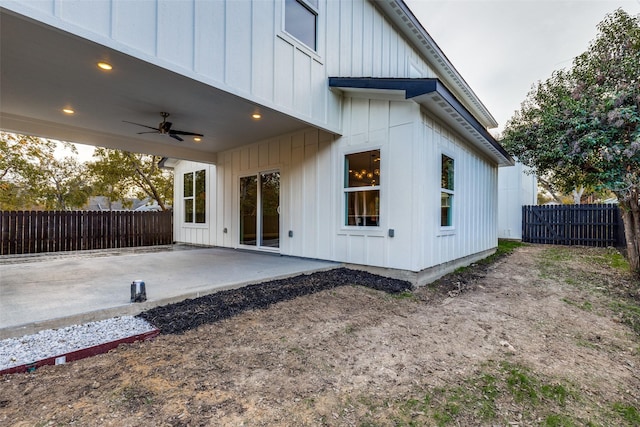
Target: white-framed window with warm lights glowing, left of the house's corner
(362,189)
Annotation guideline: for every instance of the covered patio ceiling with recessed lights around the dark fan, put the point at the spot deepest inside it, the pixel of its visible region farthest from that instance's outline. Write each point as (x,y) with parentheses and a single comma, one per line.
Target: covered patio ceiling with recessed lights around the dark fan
(43,70)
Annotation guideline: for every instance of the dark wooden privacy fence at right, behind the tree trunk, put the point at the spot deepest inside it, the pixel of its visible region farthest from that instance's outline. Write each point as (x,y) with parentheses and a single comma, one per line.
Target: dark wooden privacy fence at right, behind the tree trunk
(586,225)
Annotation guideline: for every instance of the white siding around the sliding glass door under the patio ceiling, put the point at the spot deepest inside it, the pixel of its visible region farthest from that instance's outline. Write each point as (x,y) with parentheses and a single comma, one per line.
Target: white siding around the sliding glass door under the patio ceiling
(304,160)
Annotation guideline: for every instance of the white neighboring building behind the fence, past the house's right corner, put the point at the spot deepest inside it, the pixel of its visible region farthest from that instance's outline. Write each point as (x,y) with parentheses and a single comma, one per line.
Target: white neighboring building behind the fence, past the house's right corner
(516,188)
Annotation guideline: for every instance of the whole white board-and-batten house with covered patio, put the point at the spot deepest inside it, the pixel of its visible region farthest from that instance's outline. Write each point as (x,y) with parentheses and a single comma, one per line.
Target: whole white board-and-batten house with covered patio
(334,130)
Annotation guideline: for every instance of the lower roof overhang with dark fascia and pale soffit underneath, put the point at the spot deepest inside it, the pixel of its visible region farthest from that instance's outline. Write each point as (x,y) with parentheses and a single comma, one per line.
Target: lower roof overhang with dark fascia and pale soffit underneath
(437,99)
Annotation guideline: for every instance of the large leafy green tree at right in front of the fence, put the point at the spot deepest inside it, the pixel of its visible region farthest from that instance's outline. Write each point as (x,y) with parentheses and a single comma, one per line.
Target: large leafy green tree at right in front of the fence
(581,127)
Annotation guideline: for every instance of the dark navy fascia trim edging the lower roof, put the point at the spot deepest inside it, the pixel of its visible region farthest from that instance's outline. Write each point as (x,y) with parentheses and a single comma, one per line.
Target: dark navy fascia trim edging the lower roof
(414,88)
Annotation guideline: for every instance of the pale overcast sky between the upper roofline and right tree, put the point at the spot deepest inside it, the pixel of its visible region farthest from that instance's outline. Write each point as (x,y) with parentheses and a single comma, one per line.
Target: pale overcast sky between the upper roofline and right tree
(502,47)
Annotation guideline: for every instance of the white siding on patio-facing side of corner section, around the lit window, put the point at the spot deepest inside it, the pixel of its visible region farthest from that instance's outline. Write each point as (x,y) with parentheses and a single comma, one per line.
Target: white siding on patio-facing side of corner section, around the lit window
(388,126)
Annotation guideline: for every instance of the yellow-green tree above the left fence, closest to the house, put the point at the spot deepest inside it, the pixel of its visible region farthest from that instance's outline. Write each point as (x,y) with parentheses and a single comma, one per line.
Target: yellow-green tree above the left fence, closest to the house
(119,175)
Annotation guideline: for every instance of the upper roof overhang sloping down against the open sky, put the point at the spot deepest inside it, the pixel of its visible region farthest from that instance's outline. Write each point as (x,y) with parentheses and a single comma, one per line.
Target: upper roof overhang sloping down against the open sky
(400,14)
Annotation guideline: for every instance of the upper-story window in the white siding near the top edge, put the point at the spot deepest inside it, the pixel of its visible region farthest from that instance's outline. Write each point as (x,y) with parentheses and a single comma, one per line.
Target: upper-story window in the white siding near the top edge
(301,21)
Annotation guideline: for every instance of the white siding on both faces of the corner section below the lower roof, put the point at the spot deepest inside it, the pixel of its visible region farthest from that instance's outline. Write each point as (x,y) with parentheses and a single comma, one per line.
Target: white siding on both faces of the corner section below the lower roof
(411,144)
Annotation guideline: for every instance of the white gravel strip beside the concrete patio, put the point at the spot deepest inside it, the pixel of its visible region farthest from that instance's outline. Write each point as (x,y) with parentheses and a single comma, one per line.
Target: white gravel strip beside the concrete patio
(56,342)
